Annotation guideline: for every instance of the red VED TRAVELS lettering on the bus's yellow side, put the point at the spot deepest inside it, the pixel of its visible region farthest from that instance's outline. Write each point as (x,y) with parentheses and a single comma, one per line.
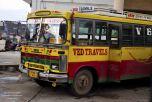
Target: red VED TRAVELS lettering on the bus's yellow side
(80,51)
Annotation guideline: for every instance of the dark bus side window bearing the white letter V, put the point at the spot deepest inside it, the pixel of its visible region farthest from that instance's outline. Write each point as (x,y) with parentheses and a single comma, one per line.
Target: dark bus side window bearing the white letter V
(138,35)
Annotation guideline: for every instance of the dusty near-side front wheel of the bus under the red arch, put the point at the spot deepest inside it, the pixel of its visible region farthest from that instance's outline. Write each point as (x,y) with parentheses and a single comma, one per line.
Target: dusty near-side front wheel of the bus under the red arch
(82,83)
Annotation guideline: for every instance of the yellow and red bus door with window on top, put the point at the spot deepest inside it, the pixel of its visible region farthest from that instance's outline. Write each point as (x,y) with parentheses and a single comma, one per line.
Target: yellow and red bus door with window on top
(115,51)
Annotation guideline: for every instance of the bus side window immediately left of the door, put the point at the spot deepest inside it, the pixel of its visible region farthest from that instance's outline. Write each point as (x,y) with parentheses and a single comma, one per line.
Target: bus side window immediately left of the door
(100,37)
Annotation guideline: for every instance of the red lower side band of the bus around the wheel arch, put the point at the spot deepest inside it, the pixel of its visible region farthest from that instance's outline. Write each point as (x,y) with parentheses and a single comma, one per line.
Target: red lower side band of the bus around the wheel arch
(112,70)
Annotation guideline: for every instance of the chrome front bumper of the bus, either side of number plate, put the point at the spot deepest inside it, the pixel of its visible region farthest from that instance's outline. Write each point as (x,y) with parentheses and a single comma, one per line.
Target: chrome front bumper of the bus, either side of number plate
(57,78)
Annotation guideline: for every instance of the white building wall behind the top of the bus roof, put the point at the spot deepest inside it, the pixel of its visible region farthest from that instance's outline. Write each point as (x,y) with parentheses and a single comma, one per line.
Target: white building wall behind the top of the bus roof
(66,5)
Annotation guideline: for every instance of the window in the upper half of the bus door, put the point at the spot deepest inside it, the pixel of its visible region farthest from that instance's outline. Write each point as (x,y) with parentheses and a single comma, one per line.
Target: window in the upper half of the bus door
(114,35)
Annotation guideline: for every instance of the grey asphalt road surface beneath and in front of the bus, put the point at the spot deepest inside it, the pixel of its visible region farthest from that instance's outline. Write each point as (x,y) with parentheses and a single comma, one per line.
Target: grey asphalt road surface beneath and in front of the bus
(18,88)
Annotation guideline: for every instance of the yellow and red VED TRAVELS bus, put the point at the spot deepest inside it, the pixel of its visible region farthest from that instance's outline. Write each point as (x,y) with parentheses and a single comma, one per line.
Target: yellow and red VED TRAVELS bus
(83,49)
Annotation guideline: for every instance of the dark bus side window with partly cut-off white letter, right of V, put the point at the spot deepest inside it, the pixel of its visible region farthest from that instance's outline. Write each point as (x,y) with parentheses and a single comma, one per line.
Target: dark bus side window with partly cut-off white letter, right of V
(148,35)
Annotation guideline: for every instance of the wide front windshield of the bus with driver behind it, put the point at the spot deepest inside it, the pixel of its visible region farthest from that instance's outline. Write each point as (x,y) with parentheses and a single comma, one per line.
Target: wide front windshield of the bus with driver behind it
(47,30)
